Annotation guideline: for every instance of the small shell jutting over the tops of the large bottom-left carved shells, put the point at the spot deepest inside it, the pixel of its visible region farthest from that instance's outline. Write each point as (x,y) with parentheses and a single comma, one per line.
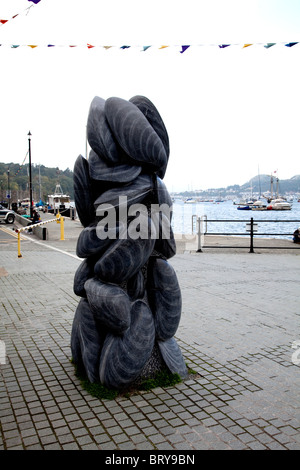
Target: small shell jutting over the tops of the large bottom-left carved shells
(110,305)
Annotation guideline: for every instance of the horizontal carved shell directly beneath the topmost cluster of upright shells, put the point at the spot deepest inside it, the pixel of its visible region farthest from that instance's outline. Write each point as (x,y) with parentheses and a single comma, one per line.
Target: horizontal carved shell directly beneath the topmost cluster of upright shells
(101,170)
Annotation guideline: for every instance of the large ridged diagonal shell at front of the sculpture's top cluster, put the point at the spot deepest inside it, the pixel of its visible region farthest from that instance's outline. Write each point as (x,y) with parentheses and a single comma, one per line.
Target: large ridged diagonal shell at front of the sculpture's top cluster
(134,133)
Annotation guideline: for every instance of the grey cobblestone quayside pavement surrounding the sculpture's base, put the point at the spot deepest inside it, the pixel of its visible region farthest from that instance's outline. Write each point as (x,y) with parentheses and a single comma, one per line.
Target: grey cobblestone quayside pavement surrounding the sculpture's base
(240,321)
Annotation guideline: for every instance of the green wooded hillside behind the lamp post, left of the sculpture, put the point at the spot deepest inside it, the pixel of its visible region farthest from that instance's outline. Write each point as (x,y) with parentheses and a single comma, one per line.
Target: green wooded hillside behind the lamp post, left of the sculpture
(44,180)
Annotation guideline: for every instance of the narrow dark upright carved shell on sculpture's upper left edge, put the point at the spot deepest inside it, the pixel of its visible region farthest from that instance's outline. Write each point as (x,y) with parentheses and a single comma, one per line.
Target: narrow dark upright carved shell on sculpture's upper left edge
(82,191)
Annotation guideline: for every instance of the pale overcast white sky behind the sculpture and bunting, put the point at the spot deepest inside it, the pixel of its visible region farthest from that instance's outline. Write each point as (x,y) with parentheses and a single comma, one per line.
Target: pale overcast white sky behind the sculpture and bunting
(230,112)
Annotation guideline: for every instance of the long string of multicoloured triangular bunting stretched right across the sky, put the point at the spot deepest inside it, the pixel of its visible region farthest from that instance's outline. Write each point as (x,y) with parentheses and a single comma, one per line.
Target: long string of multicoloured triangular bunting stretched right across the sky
(182,49)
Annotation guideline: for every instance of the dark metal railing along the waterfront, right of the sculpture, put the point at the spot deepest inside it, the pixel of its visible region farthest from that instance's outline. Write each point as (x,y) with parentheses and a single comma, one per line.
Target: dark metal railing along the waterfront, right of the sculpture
(251,231)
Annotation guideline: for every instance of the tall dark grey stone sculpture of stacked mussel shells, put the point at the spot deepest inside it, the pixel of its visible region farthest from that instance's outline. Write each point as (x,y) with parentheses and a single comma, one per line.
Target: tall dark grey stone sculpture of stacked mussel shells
(130,300)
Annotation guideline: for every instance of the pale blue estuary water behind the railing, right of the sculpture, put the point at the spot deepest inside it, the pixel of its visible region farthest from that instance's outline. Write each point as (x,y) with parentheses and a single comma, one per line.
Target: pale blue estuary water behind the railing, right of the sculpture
(228,219)
